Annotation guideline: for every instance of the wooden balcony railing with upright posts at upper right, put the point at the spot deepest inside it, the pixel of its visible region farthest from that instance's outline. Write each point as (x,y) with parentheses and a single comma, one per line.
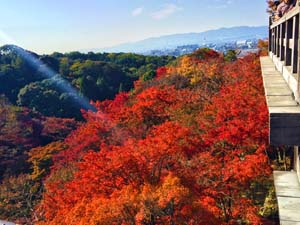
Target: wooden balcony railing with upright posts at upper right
(284,47)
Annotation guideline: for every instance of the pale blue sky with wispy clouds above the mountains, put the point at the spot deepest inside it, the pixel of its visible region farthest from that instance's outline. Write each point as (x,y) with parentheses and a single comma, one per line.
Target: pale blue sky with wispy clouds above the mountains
(45,26)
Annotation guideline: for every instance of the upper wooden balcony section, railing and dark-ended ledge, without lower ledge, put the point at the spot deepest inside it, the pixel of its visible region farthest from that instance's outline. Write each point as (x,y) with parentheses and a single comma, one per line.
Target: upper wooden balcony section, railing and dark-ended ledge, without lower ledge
(280,73)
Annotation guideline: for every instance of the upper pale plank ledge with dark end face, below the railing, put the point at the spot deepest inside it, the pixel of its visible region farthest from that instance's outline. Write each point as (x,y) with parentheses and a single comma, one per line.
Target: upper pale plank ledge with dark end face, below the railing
(284,111)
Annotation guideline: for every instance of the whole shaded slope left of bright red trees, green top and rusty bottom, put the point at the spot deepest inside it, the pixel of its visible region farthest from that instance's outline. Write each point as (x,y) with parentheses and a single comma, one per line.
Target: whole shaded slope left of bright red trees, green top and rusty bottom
(40,104)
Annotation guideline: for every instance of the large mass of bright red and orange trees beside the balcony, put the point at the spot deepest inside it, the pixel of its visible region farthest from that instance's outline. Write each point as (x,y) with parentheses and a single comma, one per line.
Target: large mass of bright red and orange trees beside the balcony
(183,148)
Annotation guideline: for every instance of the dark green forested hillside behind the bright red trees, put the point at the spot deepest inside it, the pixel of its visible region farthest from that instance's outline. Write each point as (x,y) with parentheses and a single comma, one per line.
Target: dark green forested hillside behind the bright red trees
(41,82)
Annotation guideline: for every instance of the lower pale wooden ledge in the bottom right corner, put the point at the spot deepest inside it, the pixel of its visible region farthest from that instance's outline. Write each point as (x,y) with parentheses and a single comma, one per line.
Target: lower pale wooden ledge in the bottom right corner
(288,196)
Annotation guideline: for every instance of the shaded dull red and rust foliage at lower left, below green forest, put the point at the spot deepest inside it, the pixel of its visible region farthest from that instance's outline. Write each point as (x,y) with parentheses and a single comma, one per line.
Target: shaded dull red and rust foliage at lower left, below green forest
(28,141)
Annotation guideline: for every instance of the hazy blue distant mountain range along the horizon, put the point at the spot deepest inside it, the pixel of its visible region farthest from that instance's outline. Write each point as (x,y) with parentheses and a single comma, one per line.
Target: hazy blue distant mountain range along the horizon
(217,36)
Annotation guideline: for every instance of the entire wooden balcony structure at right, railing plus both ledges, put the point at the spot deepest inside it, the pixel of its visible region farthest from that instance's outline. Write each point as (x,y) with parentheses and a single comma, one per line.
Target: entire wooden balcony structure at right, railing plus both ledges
(281,72)
